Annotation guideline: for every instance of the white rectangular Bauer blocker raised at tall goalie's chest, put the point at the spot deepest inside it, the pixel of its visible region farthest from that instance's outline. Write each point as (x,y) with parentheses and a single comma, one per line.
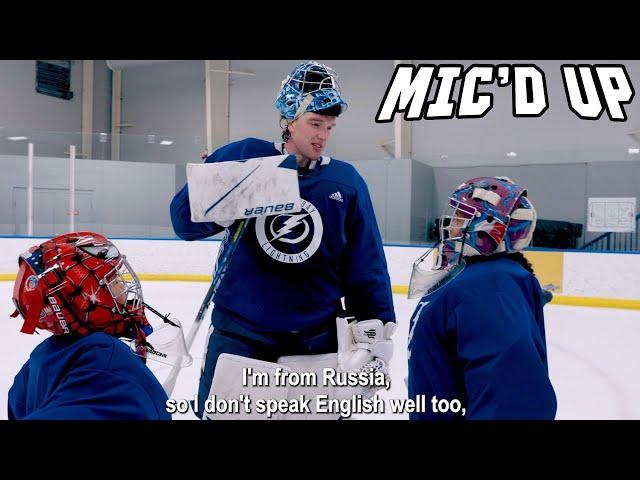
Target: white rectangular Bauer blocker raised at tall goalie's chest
(226,191)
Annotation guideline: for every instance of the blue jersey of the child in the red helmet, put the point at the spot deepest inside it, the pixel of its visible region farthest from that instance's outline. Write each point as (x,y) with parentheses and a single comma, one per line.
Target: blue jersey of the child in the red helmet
(96,377)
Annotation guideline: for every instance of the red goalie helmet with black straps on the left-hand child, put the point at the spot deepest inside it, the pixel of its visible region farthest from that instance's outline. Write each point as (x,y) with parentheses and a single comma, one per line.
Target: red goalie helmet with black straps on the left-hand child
(78,283)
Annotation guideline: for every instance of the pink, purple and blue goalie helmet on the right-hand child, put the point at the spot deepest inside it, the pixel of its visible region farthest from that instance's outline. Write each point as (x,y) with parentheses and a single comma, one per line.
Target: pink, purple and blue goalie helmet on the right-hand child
(490,215)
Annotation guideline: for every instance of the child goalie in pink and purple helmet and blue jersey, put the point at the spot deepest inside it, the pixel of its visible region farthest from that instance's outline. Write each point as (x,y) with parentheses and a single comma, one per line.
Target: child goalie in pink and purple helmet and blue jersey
(478,335)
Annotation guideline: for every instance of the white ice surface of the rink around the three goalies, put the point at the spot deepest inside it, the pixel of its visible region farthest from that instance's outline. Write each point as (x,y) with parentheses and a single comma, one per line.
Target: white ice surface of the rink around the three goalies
(594,353)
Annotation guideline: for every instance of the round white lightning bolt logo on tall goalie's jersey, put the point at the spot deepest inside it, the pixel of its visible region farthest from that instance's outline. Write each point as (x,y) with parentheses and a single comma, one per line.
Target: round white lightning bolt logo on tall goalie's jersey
(291,237)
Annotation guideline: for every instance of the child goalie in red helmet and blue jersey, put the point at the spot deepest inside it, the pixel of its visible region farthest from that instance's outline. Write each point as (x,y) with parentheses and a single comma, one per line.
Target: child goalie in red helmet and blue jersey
(80,288)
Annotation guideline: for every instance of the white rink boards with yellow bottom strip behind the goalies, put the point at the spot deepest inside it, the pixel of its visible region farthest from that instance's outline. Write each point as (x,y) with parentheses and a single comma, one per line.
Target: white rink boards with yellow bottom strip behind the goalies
(576,277)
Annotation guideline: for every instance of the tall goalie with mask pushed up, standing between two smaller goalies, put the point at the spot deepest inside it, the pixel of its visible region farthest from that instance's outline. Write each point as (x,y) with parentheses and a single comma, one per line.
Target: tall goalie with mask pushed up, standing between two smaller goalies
(283,287)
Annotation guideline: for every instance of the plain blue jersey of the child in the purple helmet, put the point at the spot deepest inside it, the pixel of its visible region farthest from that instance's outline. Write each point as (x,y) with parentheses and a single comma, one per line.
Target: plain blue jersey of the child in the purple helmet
(480,339)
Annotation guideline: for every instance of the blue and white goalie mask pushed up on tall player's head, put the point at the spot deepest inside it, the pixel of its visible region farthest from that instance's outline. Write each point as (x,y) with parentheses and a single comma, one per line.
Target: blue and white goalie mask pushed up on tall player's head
(311,87)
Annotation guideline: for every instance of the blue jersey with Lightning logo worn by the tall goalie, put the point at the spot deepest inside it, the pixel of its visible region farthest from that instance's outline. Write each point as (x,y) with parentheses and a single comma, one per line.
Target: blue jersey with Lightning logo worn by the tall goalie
(290,271)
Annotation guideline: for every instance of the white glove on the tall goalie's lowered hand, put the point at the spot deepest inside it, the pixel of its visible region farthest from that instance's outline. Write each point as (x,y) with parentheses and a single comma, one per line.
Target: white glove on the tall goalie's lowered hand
(364,346)
